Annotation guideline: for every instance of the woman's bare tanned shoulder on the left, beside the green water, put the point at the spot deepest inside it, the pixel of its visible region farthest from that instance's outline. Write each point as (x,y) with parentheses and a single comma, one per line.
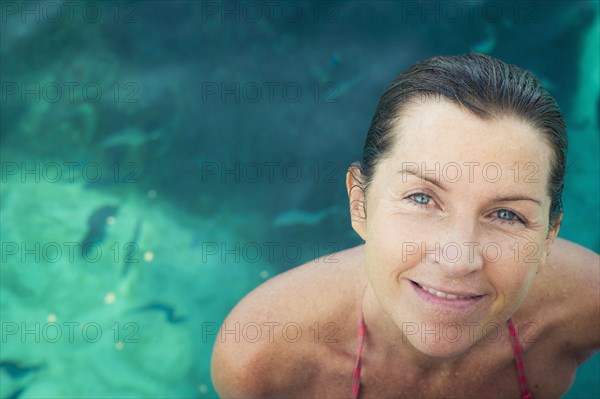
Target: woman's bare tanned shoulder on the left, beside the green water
(266,338)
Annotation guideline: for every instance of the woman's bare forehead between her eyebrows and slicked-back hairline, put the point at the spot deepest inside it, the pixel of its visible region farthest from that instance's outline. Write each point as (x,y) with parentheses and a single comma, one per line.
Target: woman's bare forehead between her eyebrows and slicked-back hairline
(441,132)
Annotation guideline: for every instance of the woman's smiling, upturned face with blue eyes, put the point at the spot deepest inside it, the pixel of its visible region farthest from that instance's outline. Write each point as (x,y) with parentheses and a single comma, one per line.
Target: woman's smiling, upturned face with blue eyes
(456,225)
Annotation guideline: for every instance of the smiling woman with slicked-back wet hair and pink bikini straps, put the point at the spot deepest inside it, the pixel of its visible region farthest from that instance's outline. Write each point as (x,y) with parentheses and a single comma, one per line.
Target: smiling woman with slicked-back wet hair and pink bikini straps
(461,288)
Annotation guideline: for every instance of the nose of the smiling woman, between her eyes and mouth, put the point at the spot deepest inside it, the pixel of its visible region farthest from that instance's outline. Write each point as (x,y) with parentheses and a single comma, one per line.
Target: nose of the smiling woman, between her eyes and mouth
(458,249)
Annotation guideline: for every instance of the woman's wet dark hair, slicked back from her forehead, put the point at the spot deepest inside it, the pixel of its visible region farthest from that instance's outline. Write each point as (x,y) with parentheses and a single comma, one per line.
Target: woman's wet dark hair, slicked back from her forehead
(482,85)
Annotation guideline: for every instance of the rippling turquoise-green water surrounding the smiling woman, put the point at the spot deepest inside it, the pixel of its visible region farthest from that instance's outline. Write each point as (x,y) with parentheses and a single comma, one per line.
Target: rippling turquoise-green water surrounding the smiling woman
(204,148)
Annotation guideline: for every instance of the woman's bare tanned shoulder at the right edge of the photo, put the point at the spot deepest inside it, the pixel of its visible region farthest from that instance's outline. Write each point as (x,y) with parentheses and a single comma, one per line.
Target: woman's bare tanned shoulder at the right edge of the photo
(569,289)
